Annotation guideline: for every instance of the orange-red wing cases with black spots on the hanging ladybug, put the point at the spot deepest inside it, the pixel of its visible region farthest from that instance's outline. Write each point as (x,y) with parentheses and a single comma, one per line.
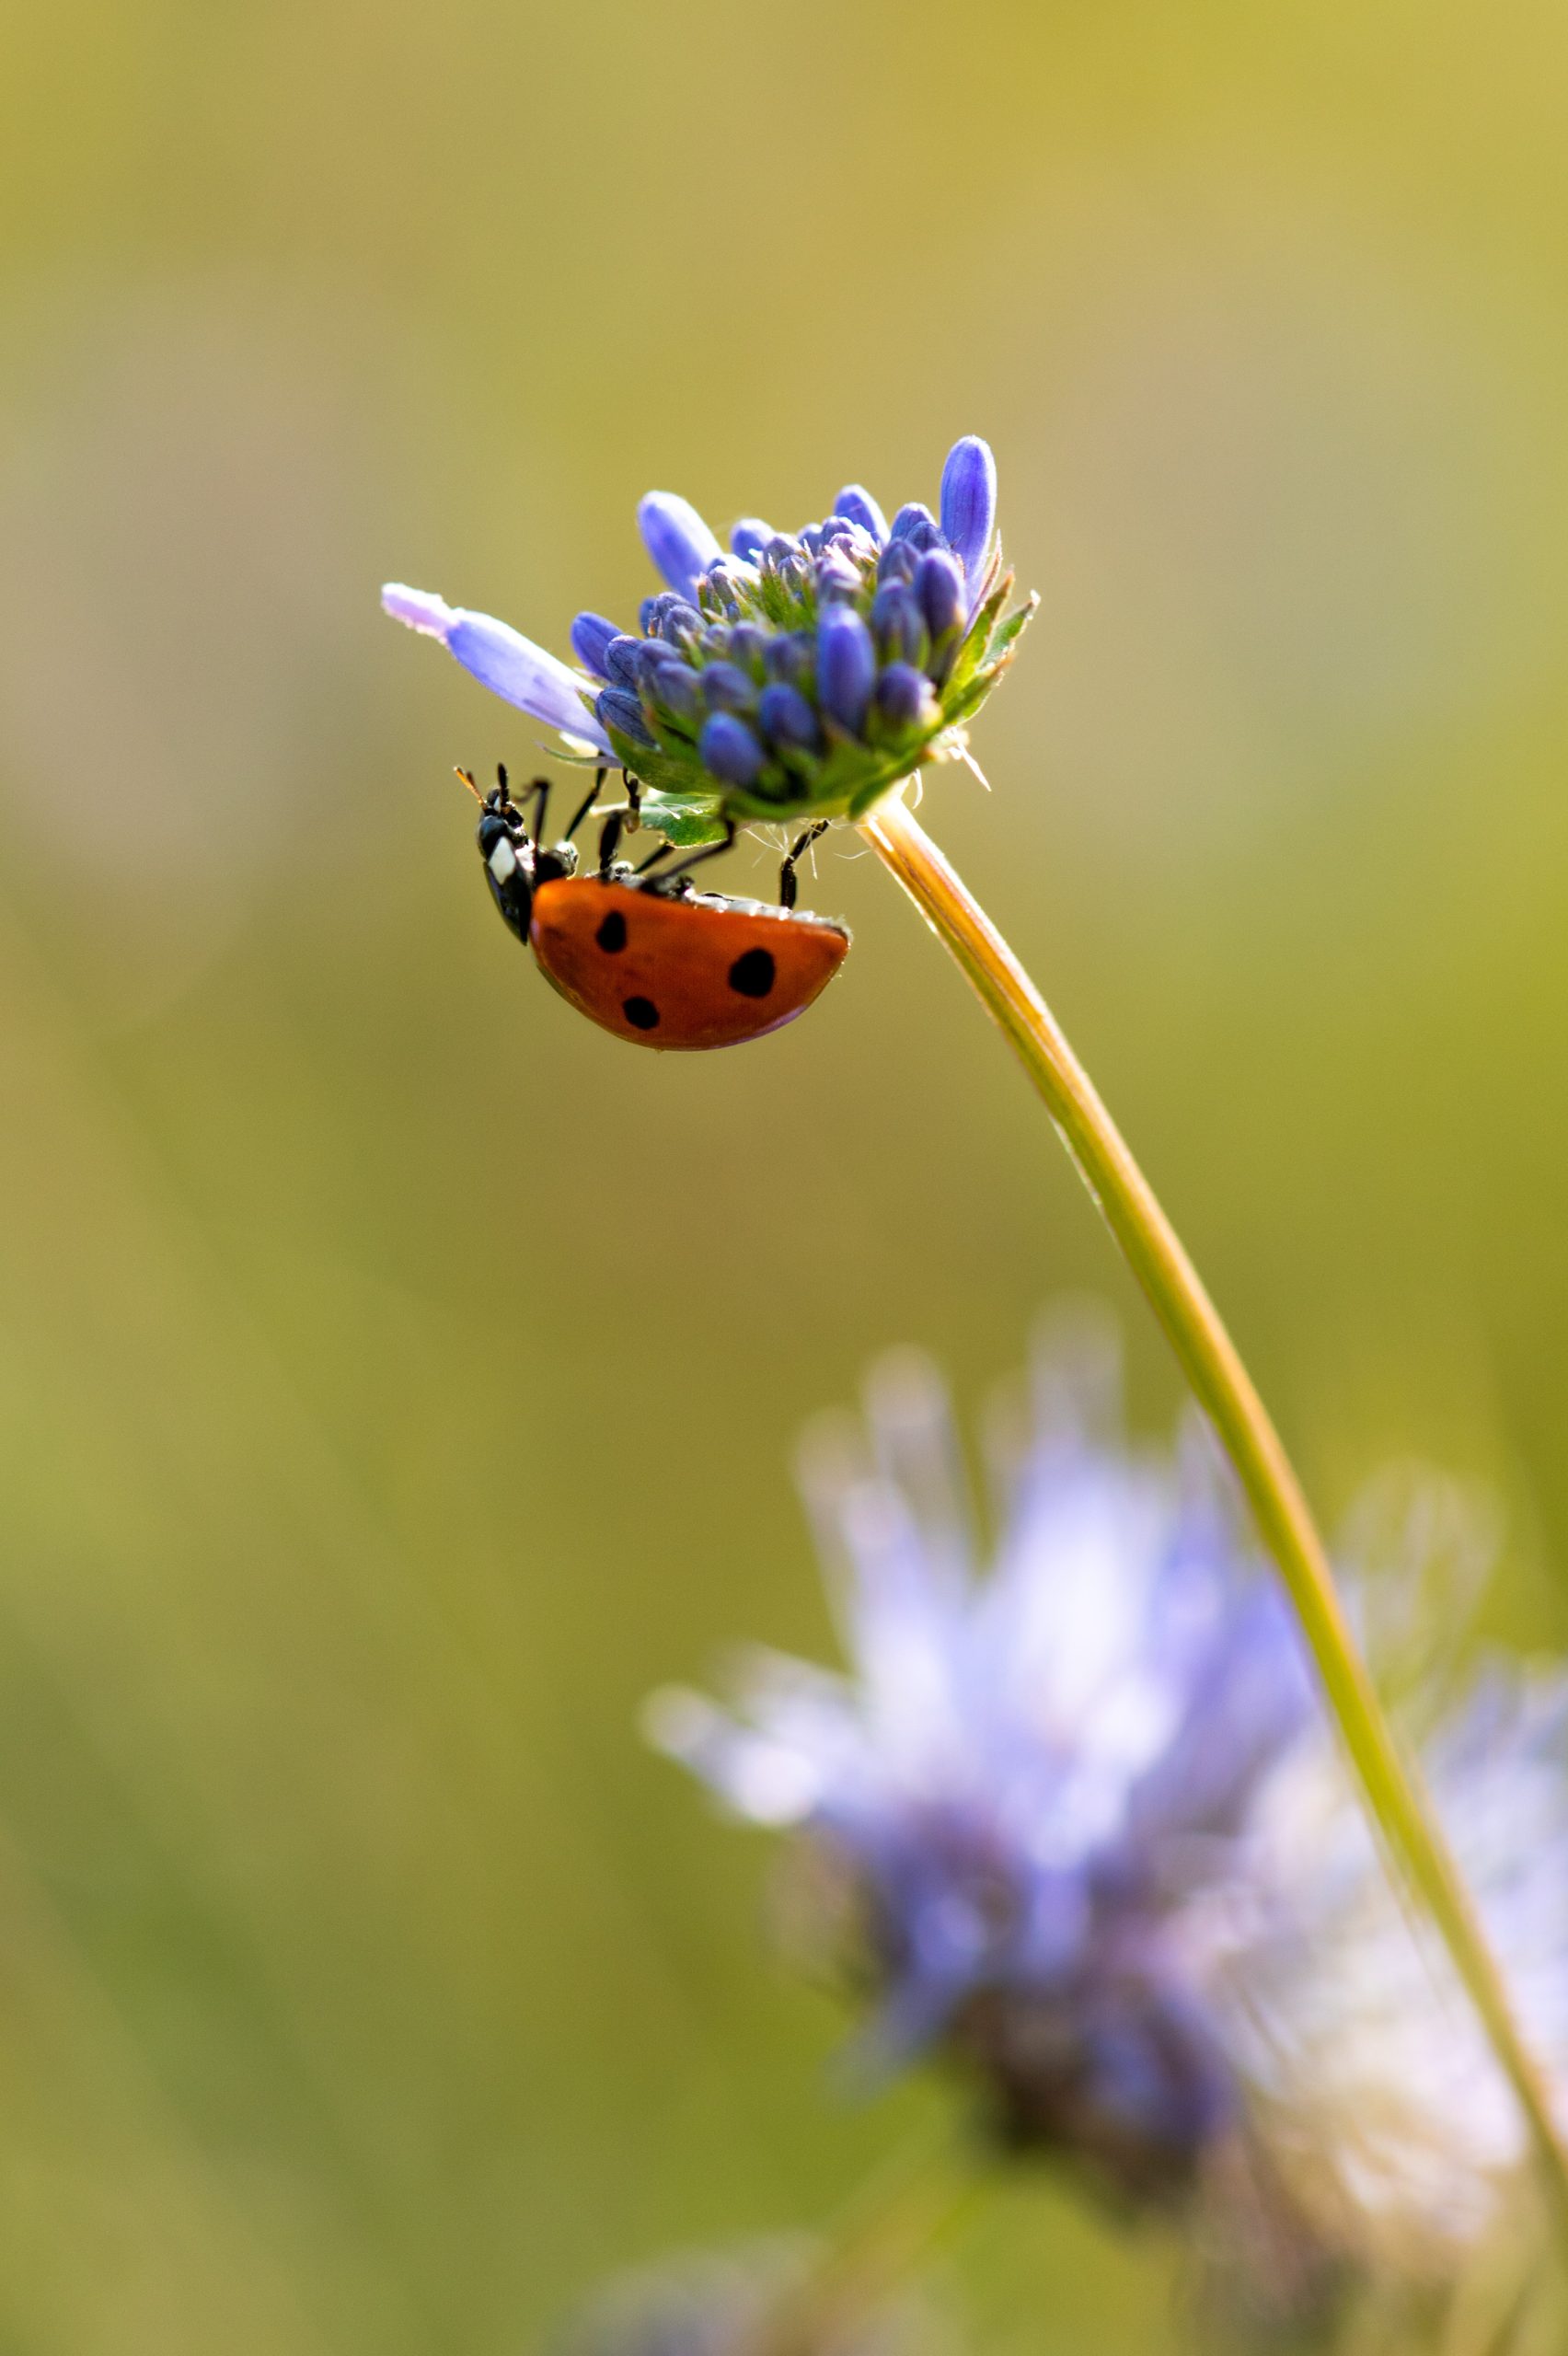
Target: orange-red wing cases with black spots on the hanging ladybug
(682,972)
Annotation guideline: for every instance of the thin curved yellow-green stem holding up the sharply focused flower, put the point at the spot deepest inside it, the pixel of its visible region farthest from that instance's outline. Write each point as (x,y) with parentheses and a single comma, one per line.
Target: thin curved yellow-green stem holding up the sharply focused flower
(1225,1391)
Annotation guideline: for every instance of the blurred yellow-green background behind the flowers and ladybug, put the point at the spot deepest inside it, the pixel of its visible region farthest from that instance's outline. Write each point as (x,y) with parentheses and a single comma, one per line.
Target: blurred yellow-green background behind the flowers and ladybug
(399,1375)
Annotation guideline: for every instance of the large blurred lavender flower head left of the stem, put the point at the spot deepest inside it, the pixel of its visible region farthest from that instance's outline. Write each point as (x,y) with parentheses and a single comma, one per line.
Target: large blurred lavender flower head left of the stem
(1032,1792)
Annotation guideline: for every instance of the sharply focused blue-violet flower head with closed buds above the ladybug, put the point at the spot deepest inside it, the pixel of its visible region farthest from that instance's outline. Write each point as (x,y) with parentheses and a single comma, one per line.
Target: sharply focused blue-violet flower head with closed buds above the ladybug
(788,675)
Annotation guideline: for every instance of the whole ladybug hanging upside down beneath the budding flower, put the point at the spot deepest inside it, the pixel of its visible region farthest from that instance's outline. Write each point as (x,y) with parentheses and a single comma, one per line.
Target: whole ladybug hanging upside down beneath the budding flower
(642,951)
